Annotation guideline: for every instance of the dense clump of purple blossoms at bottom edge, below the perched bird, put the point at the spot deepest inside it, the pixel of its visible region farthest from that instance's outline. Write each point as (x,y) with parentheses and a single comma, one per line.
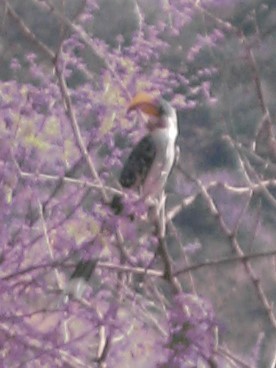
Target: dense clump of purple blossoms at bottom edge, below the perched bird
(192,332)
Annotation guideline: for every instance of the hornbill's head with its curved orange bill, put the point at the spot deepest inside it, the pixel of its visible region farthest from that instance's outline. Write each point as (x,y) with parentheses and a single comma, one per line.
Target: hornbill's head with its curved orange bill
(161,113)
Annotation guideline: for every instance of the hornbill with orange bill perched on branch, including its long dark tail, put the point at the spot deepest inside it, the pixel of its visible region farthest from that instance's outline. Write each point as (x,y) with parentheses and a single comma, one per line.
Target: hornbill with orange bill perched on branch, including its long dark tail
(148,166)
